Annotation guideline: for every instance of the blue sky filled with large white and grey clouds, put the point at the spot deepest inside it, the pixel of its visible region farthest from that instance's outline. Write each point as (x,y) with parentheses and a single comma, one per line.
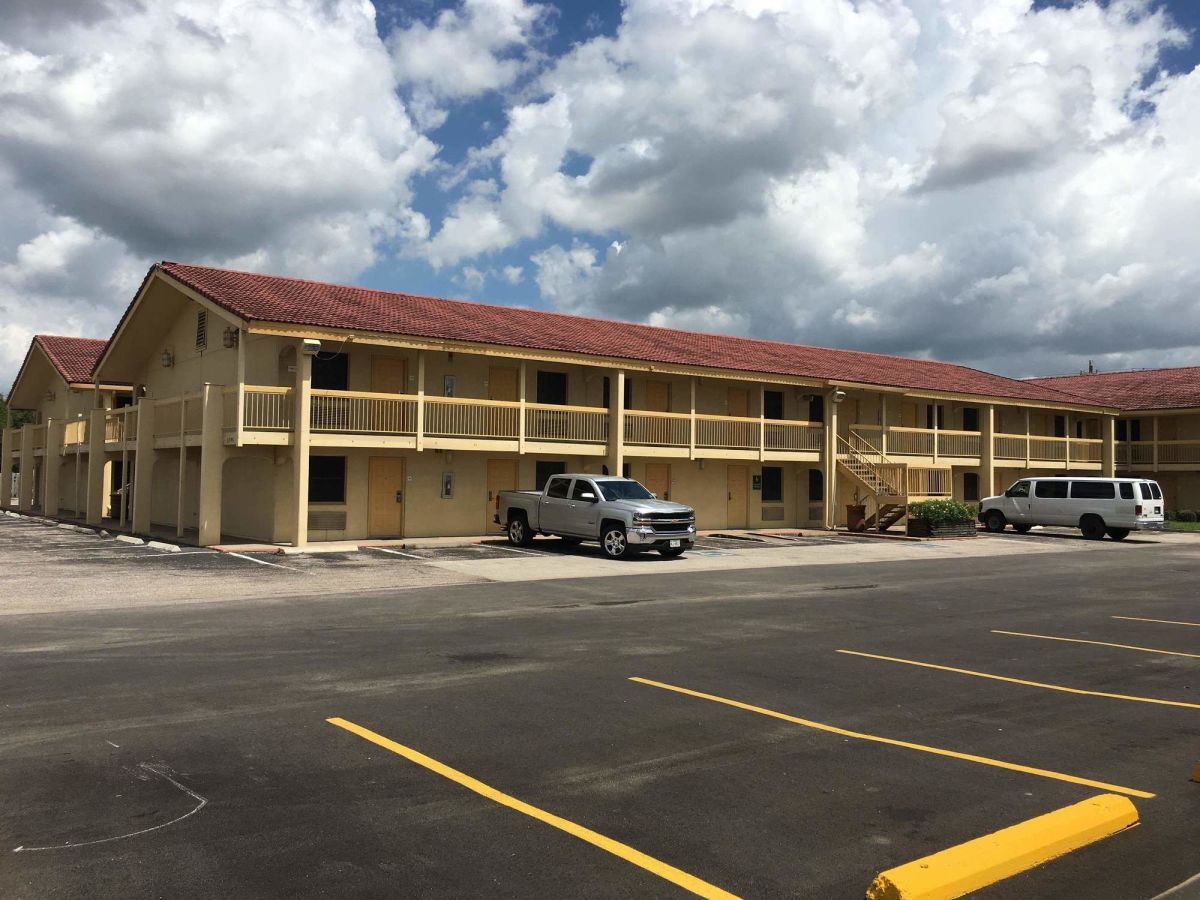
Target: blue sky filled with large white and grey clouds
(1004,183)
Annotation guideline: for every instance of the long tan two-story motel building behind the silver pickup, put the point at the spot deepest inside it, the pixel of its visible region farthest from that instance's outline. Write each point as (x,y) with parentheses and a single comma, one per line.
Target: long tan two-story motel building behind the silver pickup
(285,411)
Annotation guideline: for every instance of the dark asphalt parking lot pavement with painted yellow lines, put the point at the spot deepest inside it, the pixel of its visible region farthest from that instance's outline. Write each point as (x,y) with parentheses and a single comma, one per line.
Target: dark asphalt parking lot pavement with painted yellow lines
(803,718)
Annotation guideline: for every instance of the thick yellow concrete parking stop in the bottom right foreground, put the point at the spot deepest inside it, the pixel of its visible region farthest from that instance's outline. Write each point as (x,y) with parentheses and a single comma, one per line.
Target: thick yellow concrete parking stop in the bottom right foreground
(985,861)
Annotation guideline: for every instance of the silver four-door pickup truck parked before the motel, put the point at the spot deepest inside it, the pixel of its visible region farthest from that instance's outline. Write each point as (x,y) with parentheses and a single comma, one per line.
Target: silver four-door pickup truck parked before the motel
(619,513)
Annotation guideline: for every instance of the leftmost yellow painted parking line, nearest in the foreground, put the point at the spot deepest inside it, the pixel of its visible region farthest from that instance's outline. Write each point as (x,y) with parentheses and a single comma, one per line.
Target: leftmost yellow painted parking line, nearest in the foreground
(676,877)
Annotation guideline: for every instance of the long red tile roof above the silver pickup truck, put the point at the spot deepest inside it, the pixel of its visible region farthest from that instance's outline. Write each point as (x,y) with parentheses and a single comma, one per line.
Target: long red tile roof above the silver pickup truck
(267,298)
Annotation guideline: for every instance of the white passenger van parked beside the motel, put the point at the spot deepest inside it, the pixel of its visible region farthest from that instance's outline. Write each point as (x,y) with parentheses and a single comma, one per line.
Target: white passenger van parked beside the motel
(1094,506)
